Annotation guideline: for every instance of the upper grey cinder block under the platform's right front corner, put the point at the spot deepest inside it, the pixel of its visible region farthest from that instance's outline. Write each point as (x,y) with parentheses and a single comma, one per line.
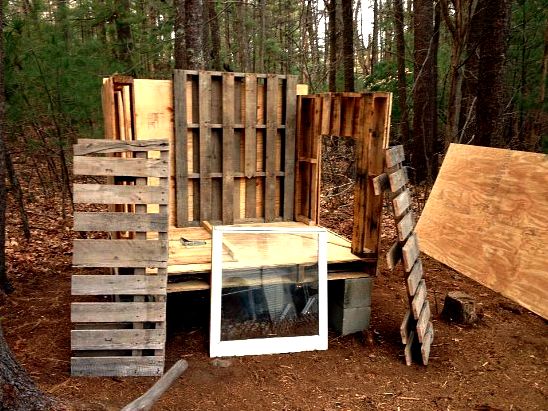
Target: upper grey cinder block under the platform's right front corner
(351,293)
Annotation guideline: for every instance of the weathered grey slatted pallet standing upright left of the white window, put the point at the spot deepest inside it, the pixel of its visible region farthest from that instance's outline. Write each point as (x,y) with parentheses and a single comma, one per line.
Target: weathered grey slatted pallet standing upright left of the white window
(119,320)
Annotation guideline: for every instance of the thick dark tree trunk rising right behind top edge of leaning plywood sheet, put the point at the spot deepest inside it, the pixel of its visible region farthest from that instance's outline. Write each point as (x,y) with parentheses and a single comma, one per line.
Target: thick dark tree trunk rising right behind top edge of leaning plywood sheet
(491,93)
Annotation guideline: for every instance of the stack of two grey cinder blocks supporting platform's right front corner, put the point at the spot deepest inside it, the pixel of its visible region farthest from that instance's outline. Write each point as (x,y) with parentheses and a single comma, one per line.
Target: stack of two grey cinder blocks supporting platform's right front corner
(350,304)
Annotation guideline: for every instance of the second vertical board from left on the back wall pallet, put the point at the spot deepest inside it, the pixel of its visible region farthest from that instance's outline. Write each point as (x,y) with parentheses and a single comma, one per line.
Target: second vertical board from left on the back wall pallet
(204,110)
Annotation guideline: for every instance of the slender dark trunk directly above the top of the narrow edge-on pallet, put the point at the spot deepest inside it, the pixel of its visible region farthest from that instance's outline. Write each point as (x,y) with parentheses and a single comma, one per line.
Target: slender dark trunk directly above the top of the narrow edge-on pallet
(402,82)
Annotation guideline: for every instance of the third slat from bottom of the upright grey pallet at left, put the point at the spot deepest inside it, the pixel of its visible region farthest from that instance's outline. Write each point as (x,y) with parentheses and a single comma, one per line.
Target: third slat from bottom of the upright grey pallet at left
(117,312)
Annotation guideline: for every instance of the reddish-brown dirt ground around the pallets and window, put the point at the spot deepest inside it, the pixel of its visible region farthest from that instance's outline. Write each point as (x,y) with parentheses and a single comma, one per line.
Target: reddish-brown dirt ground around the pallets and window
(499,363)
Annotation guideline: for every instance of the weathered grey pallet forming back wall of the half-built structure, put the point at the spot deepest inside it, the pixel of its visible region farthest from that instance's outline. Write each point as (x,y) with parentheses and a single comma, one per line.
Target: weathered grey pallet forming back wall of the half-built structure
(234,147)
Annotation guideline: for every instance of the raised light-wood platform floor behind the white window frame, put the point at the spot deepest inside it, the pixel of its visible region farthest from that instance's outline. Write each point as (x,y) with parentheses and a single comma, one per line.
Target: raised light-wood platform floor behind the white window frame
(189,261)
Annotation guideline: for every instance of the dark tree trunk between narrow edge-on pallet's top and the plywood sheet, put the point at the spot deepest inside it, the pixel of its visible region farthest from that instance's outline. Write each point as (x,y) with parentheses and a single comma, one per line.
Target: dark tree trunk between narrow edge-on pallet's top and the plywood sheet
(424,101)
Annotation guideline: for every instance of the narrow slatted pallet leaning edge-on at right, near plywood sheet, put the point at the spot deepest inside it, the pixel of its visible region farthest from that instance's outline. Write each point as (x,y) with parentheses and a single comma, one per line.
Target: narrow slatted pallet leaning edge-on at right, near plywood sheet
(417,331)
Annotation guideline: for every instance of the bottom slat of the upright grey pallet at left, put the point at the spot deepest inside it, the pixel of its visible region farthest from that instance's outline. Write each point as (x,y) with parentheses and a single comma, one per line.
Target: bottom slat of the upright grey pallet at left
(117,366)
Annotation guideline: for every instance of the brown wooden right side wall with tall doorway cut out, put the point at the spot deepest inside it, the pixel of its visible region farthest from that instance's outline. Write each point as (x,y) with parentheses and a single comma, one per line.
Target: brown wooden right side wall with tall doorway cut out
(364,117)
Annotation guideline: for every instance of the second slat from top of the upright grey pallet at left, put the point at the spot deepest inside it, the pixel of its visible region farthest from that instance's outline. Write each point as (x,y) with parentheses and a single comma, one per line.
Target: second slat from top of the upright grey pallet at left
(112,166)
